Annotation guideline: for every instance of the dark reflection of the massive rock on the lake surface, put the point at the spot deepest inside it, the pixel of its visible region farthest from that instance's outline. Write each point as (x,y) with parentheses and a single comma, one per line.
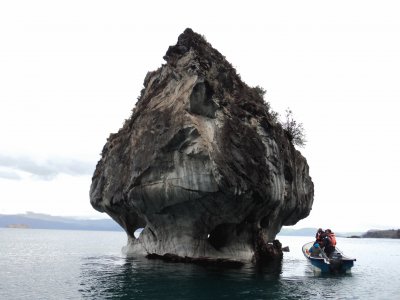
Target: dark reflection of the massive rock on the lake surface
(131,278)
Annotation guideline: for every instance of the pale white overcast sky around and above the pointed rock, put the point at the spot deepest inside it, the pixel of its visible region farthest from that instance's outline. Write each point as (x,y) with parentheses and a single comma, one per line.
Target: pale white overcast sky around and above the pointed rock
(70,73)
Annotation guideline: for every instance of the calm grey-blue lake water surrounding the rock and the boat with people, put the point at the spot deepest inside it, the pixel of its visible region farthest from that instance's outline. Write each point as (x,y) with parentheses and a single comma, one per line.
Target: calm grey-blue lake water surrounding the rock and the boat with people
(53,264)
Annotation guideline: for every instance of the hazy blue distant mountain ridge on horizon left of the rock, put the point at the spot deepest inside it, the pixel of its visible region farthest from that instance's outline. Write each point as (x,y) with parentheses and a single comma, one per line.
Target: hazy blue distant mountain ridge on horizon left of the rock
(42,221)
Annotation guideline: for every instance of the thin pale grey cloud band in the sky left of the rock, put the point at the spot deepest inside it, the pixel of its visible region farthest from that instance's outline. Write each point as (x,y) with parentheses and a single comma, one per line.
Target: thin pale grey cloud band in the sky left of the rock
(43,169)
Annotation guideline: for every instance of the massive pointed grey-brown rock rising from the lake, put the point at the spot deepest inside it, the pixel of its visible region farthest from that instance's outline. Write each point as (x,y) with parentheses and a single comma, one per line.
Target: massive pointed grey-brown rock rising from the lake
(200,165)
